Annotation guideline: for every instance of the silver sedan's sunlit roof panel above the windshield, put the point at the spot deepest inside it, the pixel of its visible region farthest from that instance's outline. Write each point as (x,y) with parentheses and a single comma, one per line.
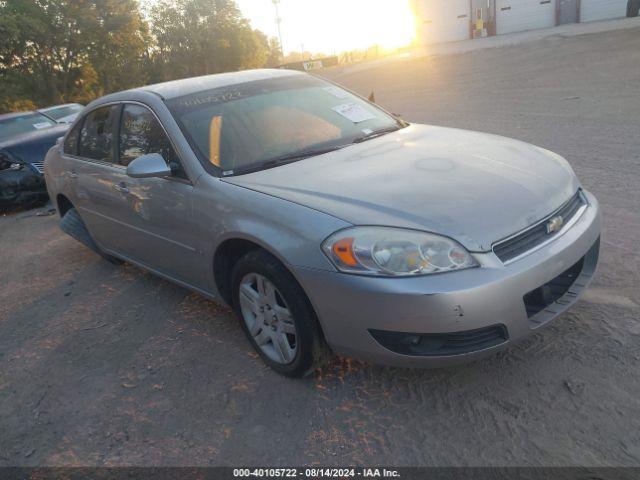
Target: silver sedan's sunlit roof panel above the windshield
(186,86)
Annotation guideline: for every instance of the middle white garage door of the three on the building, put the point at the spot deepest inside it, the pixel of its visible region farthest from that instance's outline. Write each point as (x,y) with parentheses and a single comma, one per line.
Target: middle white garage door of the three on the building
(519,15)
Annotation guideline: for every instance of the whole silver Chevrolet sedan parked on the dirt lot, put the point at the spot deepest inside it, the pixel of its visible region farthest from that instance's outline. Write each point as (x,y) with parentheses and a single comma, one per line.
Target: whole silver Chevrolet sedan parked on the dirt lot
(328,224)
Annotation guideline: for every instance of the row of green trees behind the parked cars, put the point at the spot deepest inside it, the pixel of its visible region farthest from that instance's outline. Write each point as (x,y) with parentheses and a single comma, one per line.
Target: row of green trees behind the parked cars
(58,51)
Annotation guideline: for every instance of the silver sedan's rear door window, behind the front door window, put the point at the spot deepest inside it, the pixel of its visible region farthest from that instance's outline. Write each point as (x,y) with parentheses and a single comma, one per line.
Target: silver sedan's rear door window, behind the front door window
(97,134)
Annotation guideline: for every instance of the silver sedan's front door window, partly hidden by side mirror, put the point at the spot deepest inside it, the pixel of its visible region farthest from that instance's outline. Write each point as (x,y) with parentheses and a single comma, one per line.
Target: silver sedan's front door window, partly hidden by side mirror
(140,134)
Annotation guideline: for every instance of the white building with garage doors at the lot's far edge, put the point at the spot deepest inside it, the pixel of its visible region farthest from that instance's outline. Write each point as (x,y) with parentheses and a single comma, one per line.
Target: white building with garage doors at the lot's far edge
(452,20)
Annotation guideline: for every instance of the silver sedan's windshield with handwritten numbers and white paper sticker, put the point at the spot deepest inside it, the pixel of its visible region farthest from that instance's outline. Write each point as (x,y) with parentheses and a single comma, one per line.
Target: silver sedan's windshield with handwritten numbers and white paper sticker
(254,125)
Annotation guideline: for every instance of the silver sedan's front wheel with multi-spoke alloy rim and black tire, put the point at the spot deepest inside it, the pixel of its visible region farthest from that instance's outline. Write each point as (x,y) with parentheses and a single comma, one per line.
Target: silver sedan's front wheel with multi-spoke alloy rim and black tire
(276,315)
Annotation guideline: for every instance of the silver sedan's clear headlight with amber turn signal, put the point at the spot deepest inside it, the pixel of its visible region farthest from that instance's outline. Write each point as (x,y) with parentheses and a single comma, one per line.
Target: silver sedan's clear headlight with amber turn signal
(388,251)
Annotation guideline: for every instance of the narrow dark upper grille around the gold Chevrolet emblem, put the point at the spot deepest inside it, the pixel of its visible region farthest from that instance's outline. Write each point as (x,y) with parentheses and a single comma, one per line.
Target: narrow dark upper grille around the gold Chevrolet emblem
(521,243)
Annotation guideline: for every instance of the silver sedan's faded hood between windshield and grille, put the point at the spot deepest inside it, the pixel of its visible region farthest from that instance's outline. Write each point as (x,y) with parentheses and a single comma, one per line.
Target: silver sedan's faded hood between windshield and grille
(473,187)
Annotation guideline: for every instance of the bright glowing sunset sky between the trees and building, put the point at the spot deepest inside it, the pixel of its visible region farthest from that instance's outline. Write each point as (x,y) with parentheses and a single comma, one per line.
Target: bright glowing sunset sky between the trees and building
(333,26)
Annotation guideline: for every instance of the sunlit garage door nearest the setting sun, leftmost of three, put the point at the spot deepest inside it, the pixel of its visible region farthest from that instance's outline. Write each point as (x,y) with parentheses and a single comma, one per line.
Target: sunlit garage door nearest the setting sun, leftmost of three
(443,20)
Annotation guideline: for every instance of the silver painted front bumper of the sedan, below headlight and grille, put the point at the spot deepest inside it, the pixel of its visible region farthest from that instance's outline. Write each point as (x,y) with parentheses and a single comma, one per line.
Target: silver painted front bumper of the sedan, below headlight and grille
(351,307)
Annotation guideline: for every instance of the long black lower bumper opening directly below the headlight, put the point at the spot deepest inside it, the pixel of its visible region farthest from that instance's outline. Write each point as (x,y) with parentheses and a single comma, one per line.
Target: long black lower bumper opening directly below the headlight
(441,344)
